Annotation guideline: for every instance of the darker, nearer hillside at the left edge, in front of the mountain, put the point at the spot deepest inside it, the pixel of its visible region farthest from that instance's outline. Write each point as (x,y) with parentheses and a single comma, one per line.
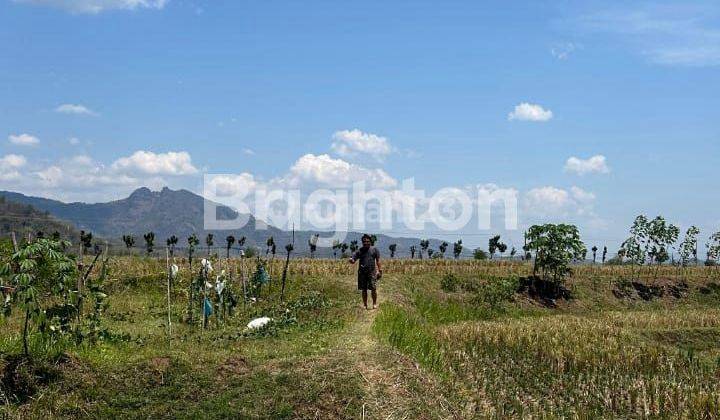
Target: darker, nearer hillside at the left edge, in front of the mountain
(23,218)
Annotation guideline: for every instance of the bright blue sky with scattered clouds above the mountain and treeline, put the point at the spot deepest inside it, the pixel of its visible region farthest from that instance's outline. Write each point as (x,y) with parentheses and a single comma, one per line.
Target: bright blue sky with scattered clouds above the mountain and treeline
(159,92)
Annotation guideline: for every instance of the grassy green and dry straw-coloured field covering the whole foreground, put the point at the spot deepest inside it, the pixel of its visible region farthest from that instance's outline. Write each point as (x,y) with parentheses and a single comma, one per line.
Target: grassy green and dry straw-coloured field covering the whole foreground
(480,350)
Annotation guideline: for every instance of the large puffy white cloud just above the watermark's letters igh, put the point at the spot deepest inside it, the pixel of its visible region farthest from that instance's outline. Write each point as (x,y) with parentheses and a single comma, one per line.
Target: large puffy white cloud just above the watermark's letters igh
(329,172)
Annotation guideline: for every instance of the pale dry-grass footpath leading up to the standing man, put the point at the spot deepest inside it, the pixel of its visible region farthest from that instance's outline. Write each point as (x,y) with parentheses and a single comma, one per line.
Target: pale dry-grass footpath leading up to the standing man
(395,387)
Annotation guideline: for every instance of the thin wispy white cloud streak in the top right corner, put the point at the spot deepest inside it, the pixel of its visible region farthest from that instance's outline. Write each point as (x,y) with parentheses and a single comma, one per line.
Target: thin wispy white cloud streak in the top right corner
(680,34)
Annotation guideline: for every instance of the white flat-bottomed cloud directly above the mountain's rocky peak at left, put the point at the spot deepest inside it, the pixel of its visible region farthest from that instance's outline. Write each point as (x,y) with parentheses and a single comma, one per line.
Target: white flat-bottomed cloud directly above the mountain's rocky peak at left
(144,162)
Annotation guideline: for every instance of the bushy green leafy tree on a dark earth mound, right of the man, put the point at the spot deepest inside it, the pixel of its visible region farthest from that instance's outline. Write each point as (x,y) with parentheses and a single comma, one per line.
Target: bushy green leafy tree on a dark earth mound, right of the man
(555,247)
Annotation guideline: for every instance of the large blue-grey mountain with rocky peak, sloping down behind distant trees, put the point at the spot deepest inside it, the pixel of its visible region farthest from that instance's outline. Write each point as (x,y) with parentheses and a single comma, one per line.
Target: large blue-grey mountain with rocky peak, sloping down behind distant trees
(178,212)
